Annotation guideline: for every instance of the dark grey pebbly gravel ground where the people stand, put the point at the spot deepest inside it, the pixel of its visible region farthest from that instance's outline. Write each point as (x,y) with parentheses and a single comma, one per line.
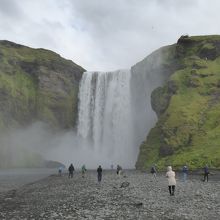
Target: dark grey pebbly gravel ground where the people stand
(62,198)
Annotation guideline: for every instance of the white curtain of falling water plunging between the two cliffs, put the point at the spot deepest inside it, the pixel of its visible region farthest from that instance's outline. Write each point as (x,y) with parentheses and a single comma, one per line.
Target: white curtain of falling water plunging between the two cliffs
(104,117)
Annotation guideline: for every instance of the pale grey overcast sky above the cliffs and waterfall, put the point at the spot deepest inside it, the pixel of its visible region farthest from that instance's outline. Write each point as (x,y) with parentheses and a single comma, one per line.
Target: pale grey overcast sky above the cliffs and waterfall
(105,34)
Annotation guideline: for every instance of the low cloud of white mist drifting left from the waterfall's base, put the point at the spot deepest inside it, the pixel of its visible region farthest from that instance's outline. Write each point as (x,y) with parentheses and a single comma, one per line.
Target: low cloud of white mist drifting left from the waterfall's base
(22,147)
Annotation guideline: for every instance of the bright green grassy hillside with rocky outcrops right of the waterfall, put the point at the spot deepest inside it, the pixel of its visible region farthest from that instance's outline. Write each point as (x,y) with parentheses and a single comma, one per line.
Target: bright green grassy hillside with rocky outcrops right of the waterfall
(188,109)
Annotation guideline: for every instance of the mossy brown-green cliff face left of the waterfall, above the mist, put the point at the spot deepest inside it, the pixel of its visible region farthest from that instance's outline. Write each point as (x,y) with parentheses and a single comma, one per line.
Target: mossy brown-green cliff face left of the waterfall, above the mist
(37,84)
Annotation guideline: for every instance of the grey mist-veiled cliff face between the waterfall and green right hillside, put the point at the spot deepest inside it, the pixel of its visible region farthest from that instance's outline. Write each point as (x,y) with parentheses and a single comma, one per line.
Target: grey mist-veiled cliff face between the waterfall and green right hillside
(147,75)
